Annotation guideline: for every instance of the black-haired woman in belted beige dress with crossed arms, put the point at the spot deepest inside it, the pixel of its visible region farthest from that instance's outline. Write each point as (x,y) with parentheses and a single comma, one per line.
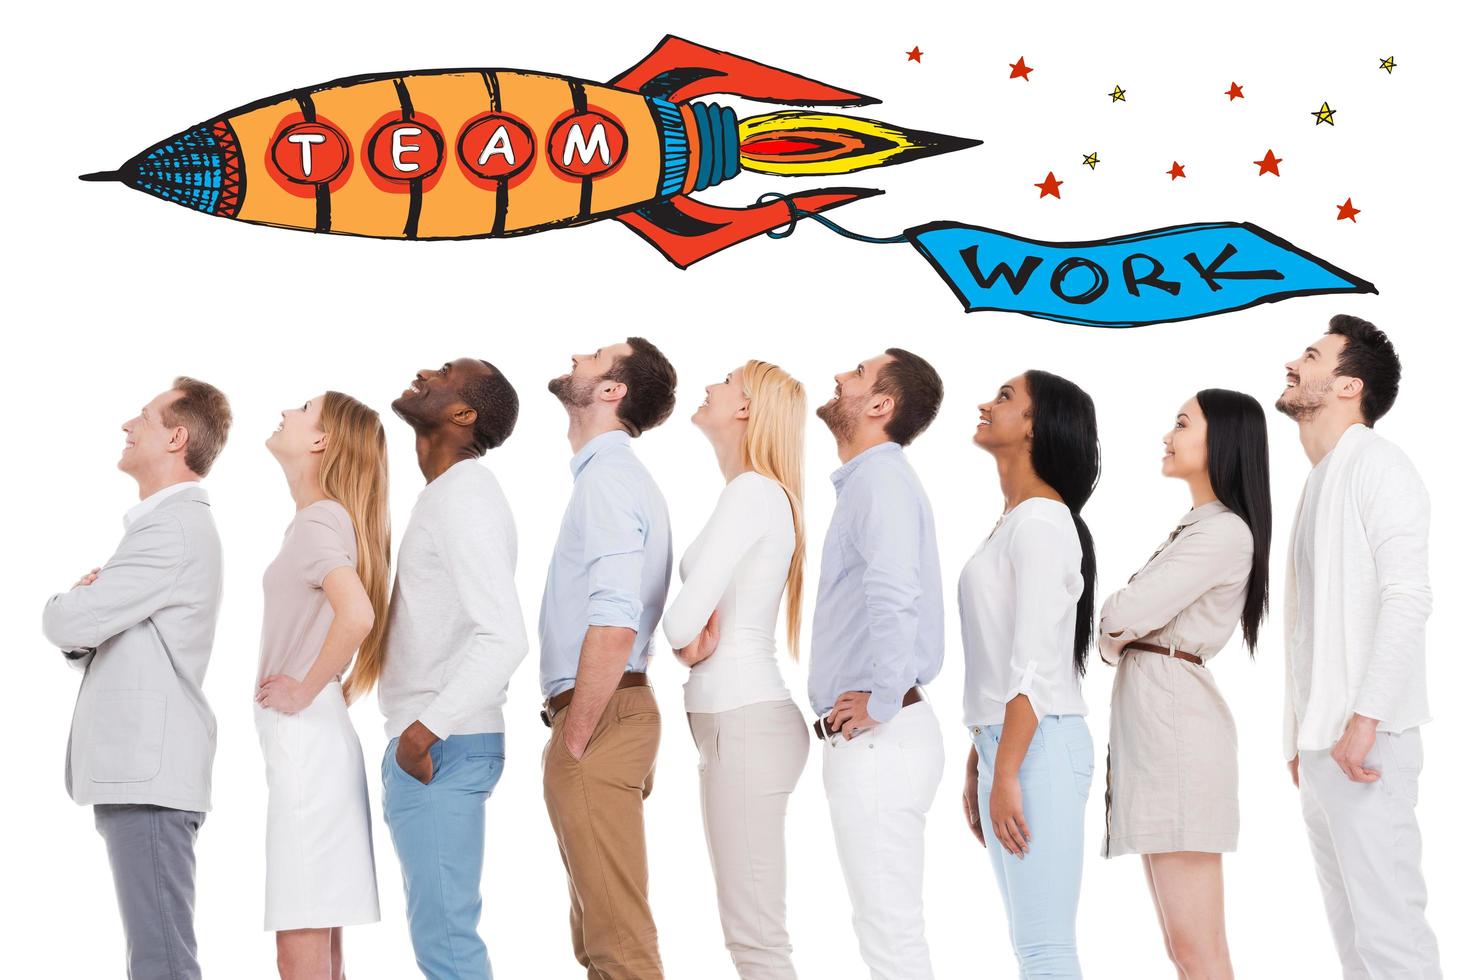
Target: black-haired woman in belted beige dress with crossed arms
(1173,775)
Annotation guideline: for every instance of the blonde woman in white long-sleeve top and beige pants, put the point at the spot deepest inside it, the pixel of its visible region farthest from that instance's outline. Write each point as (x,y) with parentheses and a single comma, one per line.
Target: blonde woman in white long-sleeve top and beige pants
(751,737)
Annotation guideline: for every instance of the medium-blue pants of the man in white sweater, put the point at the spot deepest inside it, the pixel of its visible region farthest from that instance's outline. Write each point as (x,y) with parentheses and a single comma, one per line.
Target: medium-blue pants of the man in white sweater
(438,831)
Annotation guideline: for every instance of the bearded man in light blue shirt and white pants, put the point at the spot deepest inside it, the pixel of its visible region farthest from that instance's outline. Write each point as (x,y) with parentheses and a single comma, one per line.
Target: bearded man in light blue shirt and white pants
(878,635)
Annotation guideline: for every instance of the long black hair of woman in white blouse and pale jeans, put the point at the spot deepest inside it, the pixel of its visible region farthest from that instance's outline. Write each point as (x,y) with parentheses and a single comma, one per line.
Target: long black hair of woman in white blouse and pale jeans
(1067,456)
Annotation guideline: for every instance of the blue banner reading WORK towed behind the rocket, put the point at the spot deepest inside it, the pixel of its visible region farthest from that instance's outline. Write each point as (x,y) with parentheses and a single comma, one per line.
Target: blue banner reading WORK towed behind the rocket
(1155,277)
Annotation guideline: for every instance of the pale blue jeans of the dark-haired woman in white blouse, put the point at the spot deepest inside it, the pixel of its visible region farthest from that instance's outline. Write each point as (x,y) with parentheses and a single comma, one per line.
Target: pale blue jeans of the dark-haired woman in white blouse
(1042,890)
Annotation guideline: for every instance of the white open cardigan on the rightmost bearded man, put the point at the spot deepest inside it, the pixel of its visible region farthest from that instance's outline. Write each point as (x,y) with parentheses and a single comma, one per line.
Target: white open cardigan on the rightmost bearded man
(1371,597)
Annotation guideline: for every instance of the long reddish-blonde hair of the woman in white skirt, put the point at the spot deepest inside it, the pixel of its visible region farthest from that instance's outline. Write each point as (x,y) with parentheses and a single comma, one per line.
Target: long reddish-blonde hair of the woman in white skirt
(355,474)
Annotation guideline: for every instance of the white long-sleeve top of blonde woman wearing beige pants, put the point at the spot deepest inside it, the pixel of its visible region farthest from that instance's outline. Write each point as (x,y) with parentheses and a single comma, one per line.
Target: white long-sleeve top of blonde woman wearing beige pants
(738,565)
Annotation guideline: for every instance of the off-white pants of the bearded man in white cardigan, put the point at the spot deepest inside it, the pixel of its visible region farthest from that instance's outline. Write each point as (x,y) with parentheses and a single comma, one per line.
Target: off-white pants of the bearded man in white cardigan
(1370,859)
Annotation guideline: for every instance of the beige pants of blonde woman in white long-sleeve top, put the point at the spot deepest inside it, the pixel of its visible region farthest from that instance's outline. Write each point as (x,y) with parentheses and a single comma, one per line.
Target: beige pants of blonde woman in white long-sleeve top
(750,760)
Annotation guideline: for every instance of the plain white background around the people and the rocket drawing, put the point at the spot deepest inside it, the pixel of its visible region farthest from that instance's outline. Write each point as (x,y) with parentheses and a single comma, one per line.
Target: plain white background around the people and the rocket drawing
(112,293)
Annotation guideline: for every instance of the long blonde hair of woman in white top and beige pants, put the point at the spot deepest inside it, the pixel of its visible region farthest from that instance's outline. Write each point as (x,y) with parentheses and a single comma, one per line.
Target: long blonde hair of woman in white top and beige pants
(775,447)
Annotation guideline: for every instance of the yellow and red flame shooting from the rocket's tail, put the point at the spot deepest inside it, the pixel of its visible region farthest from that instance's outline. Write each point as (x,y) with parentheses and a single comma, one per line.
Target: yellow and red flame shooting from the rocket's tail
(797,143)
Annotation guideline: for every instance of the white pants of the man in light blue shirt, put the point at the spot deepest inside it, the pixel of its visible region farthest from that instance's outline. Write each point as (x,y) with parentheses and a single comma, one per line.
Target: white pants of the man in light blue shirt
(881,787)
